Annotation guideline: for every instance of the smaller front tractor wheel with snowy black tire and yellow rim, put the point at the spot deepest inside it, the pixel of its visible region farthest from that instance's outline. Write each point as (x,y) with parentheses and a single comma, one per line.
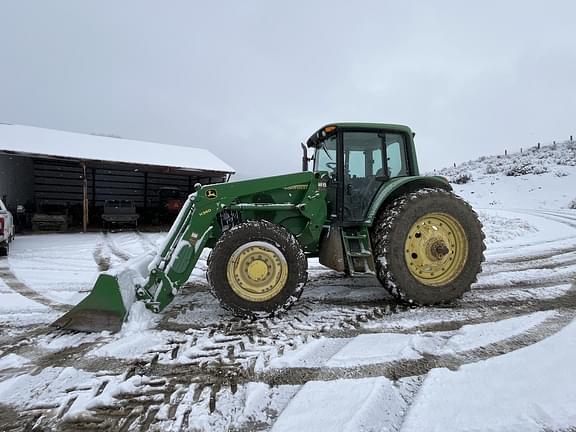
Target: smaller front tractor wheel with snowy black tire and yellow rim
(256,269)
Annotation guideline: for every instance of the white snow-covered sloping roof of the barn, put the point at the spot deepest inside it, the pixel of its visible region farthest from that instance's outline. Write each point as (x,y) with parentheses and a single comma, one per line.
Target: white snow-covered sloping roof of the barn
(50,142)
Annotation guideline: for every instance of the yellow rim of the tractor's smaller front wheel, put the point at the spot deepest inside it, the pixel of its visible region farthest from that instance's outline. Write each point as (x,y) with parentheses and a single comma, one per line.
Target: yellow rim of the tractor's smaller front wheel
(257,271)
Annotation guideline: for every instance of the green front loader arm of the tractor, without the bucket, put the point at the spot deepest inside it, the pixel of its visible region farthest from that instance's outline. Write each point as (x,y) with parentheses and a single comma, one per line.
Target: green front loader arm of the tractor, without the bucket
(197,225)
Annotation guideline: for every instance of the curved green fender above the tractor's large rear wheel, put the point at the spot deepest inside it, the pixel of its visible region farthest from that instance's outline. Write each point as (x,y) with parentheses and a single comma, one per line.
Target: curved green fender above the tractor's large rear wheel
(401,186)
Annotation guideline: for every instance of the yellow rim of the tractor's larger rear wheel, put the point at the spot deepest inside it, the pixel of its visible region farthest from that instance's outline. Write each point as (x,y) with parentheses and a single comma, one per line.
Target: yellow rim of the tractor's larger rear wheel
(436,249)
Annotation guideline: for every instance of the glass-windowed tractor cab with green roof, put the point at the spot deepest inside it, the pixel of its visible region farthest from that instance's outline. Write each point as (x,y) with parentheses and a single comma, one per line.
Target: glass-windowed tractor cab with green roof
(359,159)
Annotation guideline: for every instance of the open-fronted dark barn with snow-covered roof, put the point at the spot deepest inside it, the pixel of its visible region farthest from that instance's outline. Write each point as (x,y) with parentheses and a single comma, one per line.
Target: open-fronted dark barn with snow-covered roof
(78,176)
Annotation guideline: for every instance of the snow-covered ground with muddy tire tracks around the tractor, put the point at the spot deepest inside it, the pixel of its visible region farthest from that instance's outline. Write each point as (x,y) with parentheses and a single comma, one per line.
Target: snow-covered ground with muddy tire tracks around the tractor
(346,357)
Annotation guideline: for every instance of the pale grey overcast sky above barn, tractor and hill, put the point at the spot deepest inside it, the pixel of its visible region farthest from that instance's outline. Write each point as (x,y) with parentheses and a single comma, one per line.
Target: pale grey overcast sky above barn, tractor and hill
(249,80)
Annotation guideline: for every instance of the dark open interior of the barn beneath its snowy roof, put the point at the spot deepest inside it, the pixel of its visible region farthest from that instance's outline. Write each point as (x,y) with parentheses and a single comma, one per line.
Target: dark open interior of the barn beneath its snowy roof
(61,186)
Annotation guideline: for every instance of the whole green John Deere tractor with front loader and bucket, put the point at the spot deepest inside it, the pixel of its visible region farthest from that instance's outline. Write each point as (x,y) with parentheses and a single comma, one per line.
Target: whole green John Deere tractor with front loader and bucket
(364,209)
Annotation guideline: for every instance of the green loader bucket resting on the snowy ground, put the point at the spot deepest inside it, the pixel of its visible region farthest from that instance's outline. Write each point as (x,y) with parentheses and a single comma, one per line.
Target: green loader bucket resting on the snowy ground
(103,309)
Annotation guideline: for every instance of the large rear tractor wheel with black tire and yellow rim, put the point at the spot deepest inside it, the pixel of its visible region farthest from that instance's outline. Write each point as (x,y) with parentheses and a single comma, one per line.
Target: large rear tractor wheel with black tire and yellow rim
(429,247)
